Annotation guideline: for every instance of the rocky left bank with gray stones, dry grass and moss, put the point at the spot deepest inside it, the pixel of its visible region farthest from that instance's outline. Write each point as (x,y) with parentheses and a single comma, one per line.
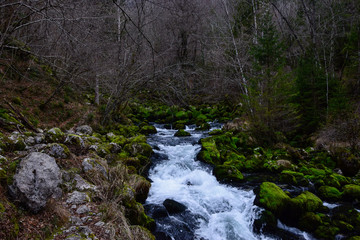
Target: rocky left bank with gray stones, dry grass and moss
(77,184)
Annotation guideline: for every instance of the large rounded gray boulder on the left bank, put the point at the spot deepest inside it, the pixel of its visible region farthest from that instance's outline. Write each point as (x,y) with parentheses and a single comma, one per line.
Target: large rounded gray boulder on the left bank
(36,180)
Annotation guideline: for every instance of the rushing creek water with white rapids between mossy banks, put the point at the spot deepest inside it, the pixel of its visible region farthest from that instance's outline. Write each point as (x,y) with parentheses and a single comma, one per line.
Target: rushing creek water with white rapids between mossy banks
(214,211)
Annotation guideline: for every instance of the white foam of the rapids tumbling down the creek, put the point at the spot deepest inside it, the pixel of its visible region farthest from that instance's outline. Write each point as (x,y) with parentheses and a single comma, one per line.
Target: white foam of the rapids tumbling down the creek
(226,212)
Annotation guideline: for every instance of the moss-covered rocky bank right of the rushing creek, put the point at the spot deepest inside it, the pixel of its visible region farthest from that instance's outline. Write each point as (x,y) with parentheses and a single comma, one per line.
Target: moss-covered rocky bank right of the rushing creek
(313,189)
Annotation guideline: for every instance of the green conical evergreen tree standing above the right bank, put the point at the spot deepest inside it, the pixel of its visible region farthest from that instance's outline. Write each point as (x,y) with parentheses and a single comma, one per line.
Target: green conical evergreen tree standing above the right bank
(271,88)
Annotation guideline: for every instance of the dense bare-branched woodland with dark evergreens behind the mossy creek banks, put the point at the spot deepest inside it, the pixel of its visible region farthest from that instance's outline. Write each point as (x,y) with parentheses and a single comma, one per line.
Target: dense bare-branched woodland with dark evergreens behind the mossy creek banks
(292,66)
